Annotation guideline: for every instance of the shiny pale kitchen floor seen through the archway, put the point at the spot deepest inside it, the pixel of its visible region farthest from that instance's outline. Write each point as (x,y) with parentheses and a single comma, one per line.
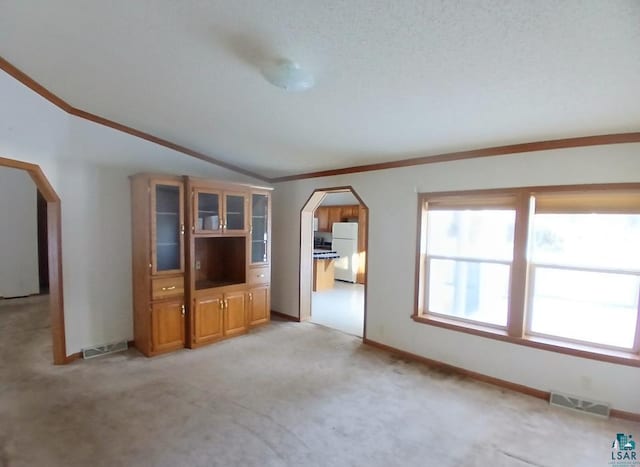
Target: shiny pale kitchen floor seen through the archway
(340,308)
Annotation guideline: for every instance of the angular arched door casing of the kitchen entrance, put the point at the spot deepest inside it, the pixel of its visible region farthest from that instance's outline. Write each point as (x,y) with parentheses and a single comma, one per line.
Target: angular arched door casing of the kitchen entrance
(307,245)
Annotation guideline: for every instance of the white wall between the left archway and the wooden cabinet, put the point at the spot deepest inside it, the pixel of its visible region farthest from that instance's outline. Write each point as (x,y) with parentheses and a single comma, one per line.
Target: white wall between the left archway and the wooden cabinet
(88,166)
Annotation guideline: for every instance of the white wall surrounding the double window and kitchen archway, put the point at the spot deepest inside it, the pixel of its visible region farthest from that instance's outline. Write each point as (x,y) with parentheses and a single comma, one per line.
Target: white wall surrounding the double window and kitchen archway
(392,201)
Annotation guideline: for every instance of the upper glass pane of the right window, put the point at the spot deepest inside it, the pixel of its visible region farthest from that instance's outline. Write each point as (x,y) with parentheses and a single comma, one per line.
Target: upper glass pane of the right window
(587,240)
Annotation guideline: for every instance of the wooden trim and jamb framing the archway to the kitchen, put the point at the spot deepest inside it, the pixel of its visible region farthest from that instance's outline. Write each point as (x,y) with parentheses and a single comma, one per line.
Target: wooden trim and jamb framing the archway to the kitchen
(305,263)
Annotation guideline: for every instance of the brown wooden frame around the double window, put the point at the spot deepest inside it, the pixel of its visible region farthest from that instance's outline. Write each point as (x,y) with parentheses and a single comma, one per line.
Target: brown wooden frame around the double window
(518,313)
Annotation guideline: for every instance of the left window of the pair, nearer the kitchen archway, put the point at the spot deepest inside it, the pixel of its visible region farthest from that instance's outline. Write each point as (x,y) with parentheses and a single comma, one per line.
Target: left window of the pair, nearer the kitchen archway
(468,260)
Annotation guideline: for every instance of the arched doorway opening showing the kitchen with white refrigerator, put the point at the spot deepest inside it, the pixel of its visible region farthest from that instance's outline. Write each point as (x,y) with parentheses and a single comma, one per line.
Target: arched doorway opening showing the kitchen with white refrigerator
(333,260)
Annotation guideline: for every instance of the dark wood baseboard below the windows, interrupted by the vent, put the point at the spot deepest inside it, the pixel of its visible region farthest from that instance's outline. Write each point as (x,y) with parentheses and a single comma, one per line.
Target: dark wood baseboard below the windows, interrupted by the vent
(452,369)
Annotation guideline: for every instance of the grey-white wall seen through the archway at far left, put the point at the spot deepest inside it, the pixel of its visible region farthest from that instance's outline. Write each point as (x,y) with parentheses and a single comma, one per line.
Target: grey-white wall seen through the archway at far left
(18,234)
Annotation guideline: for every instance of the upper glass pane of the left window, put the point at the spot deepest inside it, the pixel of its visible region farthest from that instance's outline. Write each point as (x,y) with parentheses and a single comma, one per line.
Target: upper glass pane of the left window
(483,234)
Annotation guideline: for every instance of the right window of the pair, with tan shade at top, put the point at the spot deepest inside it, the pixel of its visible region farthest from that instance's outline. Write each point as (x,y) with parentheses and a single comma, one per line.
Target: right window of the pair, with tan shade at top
(584,270)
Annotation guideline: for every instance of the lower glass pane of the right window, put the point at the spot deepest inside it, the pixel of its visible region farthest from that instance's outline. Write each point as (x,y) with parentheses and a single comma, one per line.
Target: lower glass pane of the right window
(589,306)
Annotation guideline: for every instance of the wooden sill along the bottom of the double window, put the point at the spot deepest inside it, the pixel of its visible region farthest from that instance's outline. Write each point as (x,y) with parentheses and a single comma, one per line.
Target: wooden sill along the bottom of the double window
(592,353)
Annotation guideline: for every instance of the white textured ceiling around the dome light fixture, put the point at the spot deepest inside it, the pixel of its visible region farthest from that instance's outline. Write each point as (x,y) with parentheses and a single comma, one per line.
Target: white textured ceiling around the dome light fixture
(395,79)
